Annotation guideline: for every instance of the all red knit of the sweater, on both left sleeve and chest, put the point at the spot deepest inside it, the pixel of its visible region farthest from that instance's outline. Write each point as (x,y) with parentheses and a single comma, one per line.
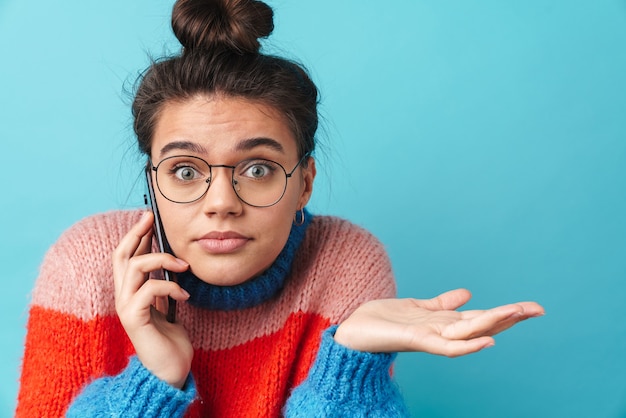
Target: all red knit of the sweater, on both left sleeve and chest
(254,379)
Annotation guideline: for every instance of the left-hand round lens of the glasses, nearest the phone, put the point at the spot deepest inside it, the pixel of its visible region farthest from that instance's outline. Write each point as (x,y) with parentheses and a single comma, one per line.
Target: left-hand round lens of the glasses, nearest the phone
(183,179)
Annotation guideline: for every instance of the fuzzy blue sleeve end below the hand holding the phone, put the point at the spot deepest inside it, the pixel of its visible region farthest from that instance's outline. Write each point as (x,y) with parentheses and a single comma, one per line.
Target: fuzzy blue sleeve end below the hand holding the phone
(135,392)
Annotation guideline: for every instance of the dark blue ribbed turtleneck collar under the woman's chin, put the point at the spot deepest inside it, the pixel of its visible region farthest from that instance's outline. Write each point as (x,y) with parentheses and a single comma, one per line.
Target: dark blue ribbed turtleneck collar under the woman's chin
(252,292)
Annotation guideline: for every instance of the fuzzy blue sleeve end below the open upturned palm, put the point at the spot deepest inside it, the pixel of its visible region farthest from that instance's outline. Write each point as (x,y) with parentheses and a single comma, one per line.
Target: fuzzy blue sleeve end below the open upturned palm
(345,382)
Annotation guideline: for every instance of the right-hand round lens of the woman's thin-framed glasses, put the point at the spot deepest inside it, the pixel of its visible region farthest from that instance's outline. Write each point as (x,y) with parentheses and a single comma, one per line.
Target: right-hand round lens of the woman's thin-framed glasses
(259,182)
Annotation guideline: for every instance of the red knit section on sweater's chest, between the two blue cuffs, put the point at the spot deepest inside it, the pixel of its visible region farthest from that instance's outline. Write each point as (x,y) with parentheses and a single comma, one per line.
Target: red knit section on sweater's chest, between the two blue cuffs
(254,379)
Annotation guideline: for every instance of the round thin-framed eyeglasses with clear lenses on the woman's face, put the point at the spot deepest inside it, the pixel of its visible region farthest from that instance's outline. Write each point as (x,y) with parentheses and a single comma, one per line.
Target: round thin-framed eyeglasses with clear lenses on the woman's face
(257,182)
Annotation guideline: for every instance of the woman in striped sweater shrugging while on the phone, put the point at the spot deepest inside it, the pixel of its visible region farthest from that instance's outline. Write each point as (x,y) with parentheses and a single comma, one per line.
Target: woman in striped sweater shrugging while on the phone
(279,312)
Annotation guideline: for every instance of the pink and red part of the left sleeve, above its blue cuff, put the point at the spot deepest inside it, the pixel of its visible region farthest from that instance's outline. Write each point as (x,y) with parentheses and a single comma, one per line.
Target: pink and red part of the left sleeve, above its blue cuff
(73,333)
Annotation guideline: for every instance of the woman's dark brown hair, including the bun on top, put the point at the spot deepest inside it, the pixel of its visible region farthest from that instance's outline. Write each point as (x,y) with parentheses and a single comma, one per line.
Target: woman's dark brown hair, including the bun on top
(220,55)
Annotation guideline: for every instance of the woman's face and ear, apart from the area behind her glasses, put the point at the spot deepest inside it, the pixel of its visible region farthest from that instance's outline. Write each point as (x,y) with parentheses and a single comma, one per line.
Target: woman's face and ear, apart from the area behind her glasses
(226,241)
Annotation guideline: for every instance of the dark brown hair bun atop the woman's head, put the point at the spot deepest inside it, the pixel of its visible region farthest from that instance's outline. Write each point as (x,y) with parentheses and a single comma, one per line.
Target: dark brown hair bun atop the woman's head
(212,24)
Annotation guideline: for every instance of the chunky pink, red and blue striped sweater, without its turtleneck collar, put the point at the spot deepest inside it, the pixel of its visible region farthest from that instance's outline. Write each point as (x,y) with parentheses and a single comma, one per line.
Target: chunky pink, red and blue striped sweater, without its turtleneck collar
(275,358)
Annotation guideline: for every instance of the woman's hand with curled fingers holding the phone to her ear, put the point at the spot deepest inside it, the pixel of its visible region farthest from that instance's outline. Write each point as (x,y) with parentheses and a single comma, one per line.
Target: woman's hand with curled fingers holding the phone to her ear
(163,347)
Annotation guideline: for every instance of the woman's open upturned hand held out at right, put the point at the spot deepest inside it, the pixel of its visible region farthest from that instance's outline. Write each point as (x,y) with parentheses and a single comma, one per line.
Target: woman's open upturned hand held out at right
(432,326)
